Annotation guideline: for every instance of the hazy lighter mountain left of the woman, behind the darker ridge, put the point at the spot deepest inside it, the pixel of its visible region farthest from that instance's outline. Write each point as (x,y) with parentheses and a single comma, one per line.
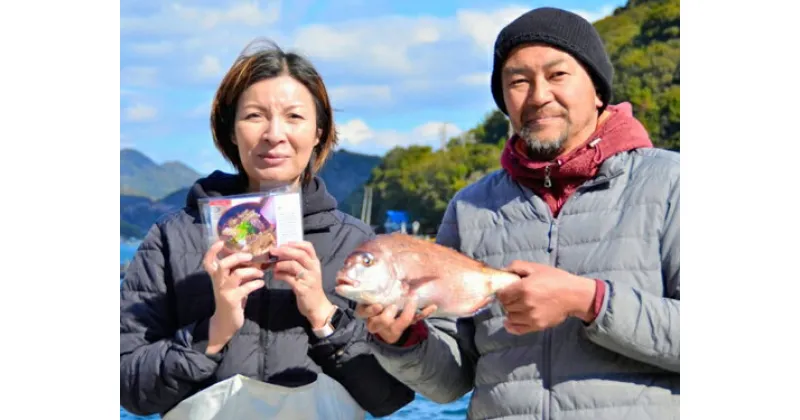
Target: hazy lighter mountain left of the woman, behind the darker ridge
(140,176)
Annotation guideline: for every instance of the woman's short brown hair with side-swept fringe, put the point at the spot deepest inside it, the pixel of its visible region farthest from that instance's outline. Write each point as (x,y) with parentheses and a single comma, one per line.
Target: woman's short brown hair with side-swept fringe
(260,60)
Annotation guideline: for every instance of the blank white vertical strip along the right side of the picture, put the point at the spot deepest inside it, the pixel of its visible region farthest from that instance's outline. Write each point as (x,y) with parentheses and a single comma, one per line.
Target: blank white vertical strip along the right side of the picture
(740,157)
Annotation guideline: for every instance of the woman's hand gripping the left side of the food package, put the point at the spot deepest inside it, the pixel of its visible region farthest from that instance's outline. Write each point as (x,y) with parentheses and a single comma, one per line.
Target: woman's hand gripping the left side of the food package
(233,281)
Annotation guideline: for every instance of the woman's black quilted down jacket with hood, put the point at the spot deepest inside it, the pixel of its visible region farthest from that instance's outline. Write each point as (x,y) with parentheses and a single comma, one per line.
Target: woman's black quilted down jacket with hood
(166,301)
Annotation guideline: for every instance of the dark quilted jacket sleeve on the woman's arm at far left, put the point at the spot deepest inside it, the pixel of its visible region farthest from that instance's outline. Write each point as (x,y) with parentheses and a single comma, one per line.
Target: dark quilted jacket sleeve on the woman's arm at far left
(160,364)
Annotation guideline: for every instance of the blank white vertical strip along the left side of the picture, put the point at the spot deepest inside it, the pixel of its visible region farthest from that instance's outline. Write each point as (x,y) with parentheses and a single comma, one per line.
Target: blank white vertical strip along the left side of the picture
(59,297)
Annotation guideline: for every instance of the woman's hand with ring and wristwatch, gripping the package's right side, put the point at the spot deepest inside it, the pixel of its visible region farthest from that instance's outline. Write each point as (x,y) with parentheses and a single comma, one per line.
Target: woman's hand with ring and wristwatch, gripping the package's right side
(299,266)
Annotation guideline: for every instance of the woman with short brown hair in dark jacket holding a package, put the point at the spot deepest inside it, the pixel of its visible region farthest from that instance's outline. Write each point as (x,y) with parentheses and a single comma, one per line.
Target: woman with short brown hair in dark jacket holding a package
(189,319)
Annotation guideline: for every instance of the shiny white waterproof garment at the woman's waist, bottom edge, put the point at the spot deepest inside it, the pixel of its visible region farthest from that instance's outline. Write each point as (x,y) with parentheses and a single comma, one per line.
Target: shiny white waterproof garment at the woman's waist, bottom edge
(242,398)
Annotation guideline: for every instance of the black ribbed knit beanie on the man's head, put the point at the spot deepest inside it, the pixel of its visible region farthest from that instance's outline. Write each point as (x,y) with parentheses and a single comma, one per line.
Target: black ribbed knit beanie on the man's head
(563,30)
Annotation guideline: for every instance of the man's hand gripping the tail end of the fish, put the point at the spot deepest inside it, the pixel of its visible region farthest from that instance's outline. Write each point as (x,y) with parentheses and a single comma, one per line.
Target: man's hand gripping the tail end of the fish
(544,298)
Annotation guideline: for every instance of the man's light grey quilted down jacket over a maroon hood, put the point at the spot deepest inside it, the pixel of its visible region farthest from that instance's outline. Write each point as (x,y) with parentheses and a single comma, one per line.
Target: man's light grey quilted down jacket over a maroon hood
(622,227)
